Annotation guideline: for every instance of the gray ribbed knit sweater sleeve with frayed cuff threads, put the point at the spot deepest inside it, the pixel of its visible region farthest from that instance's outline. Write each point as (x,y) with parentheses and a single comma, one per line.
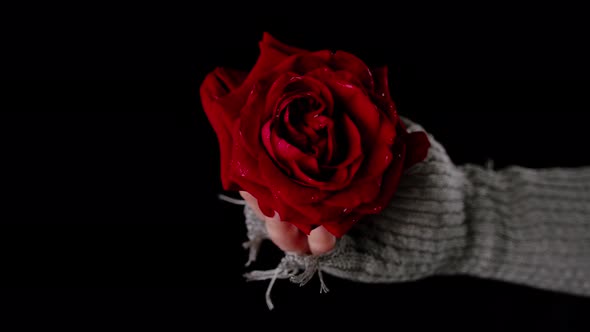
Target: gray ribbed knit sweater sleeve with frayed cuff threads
(526,226)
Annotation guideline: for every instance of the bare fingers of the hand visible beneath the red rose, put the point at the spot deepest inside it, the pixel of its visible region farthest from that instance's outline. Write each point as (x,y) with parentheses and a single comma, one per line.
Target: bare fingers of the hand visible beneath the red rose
(288,237)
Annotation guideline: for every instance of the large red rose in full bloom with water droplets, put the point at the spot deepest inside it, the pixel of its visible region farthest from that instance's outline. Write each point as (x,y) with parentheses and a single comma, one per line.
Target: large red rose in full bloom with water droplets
(314,136)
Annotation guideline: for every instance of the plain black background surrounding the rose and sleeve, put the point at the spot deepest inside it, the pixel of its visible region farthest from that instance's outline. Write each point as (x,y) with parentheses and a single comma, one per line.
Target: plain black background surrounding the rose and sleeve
(110,216)
